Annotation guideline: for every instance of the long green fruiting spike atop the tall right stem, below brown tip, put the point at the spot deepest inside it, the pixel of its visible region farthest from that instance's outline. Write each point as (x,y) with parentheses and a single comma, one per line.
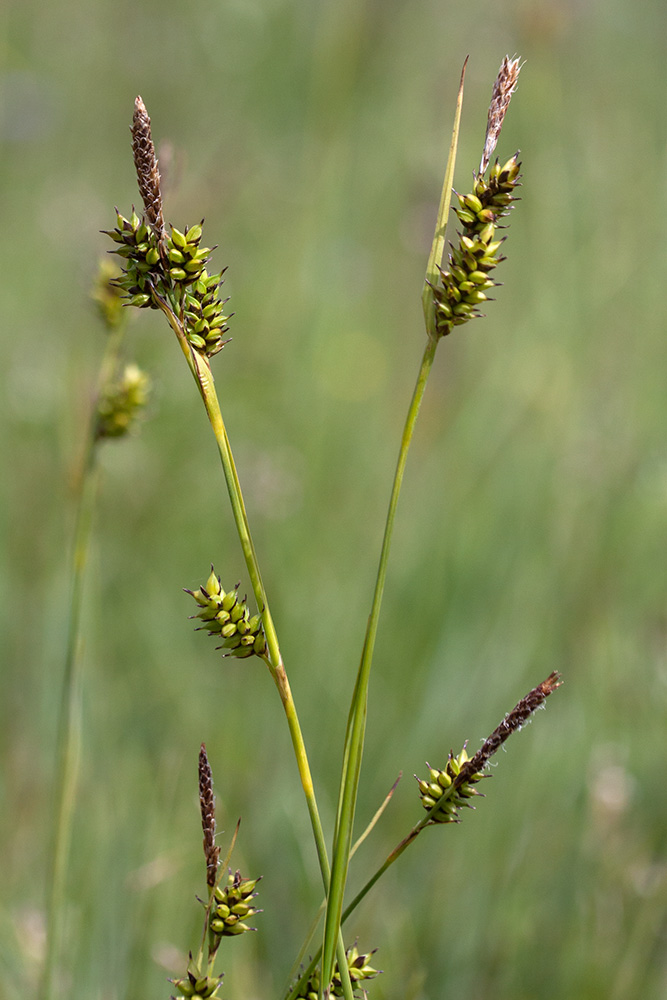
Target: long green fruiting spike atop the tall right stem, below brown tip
(466,280)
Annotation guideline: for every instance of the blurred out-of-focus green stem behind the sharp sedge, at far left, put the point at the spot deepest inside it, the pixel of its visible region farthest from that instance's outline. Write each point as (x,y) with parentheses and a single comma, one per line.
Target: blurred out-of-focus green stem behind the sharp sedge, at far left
(68,740)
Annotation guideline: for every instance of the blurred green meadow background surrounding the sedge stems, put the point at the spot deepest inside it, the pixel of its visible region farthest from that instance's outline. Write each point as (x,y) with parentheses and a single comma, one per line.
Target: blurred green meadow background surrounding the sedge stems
(531,531)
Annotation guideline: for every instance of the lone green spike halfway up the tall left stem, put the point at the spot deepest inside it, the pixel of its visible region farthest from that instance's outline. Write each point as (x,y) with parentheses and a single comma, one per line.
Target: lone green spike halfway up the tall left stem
(224,614)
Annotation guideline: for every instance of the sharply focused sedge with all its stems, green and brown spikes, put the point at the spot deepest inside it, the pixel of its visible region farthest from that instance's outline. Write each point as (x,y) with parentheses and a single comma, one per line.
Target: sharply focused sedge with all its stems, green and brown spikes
(167,269)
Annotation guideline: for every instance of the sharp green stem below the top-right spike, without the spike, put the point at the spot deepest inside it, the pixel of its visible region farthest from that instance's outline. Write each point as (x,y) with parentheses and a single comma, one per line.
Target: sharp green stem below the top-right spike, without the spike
(358,711)
